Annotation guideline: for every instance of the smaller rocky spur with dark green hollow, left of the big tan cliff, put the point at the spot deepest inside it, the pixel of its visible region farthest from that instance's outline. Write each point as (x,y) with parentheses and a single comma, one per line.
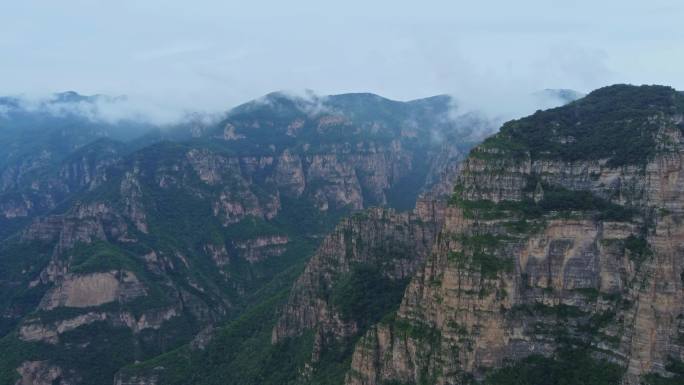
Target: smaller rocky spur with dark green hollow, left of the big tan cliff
(356,277)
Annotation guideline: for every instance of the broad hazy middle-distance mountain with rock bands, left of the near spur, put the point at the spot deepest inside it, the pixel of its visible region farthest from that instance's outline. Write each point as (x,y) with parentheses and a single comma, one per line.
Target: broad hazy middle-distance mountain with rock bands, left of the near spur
(178,236)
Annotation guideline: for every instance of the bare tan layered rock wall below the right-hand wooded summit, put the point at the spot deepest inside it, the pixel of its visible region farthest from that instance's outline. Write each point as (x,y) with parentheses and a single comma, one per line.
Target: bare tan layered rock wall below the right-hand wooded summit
(497,288)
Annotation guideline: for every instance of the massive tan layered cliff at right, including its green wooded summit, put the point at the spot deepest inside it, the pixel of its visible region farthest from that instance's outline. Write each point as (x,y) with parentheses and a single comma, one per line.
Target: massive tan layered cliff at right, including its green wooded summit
(543,252)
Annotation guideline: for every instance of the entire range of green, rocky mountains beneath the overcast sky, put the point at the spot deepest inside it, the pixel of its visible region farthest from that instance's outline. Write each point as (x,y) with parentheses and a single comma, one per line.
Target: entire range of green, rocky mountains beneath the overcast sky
(346,239)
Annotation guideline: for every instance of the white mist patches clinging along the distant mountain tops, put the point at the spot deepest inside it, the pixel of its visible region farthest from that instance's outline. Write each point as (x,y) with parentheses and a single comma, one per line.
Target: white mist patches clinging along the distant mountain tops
(118,109)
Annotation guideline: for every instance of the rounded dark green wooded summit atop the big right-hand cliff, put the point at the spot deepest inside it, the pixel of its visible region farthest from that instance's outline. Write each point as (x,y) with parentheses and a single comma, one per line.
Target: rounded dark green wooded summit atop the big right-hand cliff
(617,123)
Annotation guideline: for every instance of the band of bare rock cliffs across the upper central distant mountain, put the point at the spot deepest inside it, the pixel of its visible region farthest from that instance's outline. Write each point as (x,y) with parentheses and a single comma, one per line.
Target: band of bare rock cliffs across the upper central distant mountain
(340,176)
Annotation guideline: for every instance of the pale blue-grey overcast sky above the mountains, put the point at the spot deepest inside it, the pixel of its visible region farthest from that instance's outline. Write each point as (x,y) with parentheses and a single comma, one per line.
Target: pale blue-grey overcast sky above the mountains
(211,55)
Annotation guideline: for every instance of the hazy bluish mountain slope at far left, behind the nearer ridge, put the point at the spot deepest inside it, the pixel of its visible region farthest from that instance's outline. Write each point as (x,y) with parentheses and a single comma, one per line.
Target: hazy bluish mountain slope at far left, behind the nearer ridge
(55,149)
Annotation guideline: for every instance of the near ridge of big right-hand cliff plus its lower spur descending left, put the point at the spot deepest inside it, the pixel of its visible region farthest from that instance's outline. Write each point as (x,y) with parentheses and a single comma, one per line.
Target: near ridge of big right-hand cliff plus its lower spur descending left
(534,254)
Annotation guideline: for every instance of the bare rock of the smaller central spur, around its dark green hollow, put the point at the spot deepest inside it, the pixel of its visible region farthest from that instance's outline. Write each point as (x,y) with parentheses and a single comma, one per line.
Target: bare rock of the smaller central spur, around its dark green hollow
(392,242)
